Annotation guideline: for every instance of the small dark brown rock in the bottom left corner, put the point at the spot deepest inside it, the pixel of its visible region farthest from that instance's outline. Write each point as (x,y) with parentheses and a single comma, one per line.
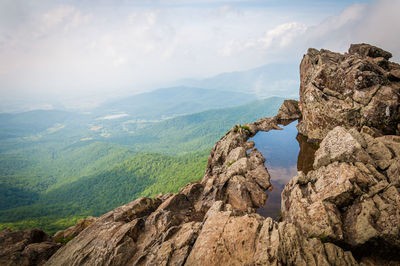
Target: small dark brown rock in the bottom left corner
(26,247)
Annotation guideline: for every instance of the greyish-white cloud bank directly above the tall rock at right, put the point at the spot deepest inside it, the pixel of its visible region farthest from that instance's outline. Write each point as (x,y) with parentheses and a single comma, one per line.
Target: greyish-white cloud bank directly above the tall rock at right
(375,23)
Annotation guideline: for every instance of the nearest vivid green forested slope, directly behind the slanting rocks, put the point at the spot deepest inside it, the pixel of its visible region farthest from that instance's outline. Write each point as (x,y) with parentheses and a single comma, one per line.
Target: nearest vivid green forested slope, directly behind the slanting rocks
(141,175)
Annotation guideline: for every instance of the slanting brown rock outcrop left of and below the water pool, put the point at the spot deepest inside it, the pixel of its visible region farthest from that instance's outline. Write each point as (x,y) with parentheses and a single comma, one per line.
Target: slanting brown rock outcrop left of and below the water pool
(212,222)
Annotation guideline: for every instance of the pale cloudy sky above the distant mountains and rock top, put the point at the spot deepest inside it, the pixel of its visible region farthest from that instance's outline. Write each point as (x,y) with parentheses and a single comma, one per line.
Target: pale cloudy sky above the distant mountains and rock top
(67,50)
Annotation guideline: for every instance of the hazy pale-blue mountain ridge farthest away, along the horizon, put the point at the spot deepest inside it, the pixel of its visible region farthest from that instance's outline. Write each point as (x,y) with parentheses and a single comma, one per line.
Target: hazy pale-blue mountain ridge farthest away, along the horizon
(275,79)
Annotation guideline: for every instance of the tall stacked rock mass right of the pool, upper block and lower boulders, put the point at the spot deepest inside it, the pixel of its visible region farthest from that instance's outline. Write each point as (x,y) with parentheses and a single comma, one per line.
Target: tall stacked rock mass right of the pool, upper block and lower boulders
(352,196)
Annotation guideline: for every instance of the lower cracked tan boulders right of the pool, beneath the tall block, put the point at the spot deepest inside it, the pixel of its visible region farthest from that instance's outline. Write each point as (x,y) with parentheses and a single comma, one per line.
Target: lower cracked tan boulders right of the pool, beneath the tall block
(353,195)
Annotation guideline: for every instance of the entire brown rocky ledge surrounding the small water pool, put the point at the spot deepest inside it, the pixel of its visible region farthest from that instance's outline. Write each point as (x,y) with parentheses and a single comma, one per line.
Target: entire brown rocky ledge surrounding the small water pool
(343,212)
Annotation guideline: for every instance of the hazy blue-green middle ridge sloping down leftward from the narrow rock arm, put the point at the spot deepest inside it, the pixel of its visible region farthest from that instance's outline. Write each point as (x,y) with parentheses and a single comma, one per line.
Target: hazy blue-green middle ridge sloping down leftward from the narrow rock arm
(199,131)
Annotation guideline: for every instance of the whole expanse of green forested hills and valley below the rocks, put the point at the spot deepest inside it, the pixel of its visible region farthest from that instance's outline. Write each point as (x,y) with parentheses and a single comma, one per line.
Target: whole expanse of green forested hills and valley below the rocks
(51,178)
